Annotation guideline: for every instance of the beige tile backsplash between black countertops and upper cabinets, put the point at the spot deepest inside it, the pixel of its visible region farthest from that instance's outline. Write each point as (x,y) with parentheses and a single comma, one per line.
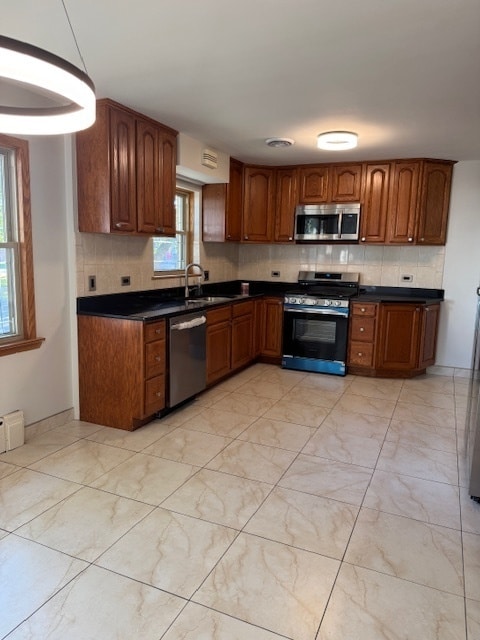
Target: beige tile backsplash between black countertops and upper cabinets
(110,257)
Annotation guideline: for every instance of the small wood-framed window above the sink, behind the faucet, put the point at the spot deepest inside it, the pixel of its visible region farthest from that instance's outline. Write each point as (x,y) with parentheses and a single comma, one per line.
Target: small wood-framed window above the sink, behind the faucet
(171,255)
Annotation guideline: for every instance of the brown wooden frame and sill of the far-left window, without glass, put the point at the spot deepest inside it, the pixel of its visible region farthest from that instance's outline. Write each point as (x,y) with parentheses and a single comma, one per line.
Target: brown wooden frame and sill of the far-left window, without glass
(27,338)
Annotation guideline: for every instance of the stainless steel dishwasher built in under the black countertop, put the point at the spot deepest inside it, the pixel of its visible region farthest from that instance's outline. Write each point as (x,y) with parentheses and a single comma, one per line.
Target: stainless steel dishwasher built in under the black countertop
(187,351)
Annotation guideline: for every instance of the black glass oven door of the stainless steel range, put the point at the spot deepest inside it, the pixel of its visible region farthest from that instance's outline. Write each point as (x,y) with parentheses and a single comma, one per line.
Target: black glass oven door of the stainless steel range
(314,335)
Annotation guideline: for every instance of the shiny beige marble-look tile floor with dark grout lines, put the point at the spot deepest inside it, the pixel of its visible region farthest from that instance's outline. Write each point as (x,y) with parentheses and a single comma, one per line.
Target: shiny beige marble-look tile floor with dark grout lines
(278,505)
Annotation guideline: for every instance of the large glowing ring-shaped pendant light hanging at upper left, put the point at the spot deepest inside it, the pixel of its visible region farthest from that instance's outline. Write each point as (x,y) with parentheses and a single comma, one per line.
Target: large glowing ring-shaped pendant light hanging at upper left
(71,90)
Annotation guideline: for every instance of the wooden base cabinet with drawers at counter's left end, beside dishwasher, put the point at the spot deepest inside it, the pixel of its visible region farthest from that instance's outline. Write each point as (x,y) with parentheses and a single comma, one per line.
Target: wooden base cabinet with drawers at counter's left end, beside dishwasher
(121,370)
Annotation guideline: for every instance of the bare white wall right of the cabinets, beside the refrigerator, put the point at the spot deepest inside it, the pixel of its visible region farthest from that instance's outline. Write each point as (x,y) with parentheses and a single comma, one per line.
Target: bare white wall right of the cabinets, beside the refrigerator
(462,268)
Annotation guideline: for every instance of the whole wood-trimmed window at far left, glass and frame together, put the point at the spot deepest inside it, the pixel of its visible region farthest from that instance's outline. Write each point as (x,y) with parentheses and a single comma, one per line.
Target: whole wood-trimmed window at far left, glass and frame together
(17,300)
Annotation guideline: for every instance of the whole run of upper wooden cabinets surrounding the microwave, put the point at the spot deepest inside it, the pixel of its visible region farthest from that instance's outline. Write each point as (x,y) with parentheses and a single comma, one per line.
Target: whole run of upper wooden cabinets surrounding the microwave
(403,201)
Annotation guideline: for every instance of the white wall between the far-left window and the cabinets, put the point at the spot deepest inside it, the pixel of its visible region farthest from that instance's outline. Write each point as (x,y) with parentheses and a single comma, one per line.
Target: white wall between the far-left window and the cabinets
(40,381)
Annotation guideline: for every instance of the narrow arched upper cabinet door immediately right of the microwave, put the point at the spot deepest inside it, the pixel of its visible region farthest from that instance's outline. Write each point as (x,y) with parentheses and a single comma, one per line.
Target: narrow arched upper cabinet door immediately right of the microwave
(375,204)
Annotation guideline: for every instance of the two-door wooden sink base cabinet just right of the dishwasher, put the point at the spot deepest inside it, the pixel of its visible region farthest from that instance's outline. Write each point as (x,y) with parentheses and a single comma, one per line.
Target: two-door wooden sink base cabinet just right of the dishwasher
(230,339)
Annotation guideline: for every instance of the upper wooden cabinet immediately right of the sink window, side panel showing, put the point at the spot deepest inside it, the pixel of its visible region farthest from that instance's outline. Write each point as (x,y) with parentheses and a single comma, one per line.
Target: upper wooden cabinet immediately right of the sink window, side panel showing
(222,207)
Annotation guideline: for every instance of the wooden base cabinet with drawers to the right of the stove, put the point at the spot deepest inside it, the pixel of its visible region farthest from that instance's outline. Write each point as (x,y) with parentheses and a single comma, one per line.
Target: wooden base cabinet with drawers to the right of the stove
(392,339)
